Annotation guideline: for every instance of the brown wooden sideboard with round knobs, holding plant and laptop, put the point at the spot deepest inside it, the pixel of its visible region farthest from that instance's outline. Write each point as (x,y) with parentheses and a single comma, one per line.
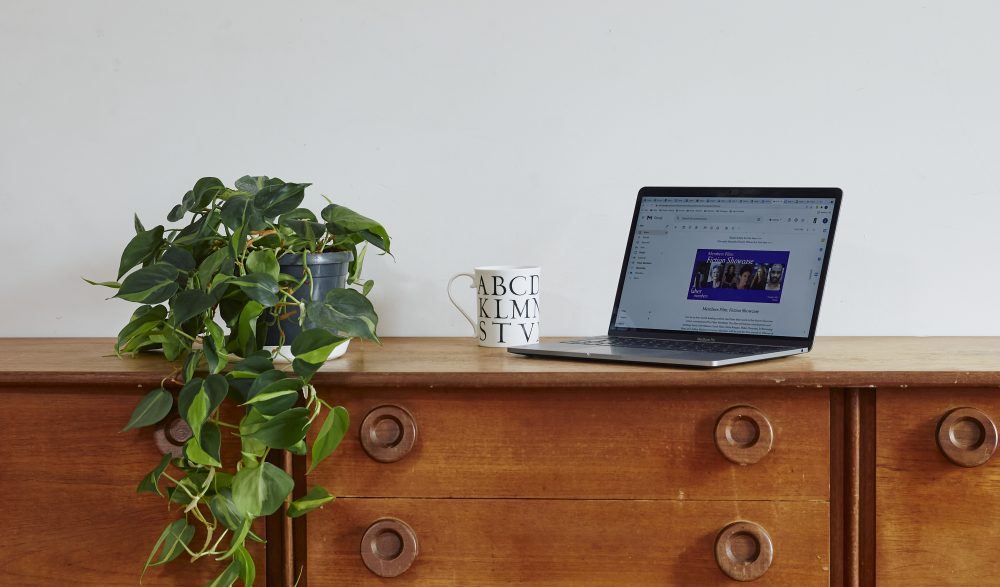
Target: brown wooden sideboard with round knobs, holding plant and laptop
(471,466)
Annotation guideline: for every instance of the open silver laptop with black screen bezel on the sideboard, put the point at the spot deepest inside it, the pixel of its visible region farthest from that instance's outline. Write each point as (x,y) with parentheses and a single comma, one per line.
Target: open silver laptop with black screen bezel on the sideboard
(716,276)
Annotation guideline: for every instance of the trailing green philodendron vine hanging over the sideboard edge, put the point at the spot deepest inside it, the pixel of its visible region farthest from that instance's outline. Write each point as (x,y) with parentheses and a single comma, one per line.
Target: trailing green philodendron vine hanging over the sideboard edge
(221,267)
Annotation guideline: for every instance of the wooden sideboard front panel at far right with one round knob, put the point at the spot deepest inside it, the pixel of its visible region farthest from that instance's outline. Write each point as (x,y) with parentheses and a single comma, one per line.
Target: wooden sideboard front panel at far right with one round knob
(936,517)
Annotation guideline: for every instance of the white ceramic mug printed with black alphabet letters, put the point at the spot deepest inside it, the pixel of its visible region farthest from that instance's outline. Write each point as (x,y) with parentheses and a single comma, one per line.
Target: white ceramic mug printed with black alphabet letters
(506,304)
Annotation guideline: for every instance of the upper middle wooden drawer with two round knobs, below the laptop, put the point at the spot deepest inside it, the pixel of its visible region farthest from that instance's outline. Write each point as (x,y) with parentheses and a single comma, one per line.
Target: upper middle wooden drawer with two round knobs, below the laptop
(585,443)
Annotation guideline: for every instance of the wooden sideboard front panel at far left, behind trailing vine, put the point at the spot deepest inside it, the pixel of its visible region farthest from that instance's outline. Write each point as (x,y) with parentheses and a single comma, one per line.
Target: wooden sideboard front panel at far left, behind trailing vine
(70,512)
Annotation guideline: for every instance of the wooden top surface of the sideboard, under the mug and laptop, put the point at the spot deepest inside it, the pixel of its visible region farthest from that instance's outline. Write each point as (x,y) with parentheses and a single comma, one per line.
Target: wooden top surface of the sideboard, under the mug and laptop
(834,361)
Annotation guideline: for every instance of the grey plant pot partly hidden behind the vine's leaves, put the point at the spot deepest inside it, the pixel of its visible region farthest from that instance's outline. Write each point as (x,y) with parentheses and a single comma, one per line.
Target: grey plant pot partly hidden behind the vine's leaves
(329,271)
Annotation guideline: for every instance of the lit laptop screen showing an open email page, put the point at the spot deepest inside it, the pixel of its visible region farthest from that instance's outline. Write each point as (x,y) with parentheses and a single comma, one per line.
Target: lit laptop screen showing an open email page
(727,265)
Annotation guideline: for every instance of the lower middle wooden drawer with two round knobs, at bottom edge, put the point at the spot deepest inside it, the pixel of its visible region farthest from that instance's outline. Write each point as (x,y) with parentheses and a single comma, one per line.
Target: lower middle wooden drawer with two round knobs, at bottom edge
(571,543)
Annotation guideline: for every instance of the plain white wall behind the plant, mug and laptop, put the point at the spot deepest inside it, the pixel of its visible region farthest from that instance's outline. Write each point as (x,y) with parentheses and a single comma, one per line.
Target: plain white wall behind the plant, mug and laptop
(507,132)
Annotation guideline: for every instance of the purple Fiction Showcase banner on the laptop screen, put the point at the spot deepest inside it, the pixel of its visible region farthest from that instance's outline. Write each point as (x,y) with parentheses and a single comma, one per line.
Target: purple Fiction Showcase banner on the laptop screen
(729,275)
